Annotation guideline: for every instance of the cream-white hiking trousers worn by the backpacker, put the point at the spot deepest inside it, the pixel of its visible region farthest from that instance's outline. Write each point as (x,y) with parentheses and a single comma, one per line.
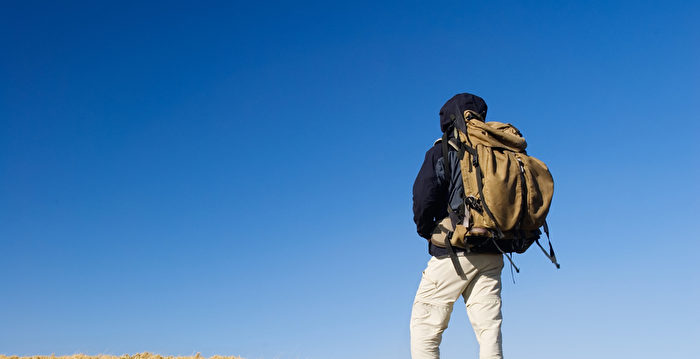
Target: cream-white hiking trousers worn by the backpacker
(439,289)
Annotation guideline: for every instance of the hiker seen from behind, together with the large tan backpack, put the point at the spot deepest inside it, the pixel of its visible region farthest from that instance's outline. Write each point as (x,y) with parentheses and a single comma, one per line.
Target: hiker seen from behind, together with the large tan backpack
(478,198)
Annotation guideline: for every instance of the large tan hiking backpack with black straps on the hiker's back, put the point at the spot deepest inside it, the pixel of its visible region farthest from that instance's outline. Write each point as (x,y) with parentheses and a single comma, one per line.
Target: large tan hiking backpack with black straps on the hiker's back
(507,193)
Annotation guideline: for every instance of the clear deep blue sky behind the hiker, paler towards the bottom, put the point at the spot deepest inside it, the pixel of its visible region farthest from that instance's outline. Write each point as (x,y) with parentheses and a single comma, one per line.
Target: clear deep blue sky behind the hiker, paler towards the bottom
(235,178)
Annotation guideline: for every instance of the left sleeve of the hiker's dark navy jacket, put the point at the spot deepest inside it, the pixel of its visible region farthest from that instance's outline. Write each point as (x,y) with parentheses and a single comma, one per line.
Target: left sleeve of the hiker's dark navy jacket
(430,193)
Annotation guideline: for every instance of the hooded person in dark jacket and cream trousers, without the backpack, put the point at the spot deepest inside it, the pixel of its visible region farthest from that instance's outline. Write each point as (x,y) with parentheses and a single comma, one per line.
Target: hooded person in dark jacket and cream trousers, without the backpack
(441,284)
